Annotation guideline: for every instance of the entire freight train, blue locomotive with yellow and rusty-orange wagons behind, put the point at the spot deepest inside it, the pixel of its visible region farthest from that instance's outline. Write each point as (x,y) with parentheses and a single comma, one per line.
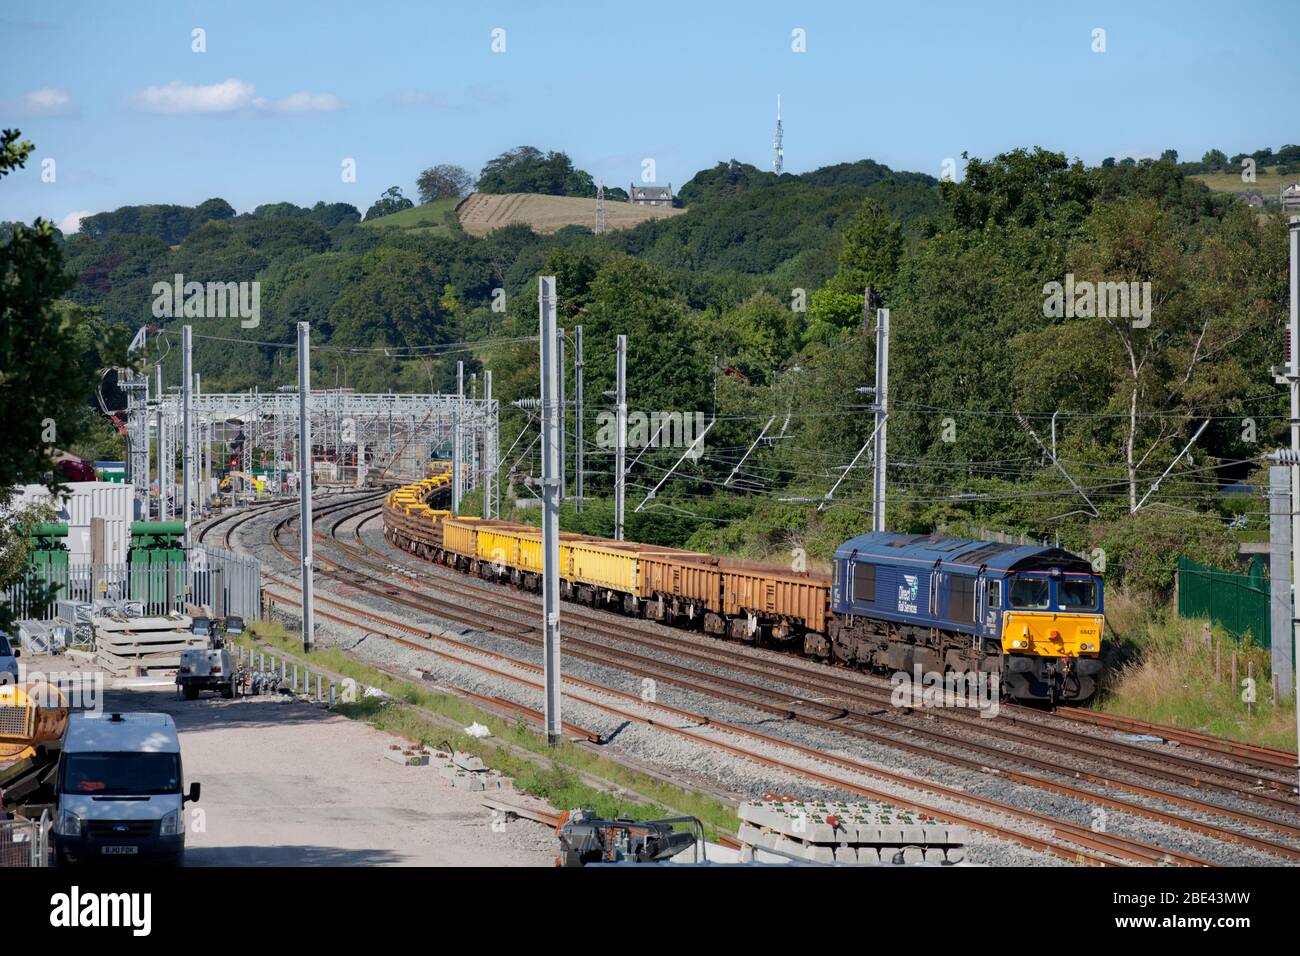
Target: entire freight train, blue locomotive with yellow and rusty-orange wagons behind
(929,604)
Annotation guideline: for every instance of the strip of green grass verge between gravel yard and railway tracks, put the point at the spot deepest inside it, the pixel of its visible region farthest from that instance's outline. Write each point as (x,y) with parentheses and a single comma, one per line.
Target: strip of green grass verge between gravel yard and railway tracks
(560,785)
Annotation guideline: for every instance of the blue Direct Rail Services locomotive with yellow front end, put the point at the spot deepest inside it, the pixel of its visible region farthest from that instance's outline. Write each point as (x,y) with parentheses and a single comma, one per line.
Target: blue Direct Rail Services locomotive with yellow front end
(1032,616)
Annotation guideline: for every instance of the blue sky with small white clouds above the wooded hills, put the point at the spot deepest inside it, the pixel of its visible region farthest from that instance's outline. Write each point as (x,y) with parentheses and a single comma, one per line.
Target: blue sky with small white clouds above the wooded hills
(112,92)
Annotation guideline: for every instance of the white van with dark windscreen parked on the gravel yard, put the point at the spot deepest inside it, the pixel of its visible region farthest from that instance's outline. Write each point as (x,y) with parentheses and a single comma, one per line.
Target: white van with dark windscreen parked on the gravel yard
(120,790)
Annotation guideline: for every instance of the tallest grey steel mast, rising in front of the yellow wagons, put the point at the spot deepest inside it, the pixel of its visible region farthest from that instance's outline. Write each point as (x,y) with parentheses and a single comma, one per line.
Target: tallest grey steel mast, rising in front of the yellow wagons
(551,505)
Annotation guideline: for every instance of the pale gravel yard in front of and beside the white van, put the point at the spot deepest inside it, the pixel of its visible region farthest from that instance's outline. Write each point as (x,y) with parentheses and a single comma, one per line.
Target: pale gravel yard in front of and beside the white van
(288,784)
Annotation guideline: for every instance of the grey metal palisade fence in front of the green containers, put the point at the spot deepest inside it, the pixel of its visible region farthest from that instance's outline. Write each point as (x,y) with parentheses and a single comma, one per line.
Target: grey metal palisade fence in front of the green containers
(227,583)
